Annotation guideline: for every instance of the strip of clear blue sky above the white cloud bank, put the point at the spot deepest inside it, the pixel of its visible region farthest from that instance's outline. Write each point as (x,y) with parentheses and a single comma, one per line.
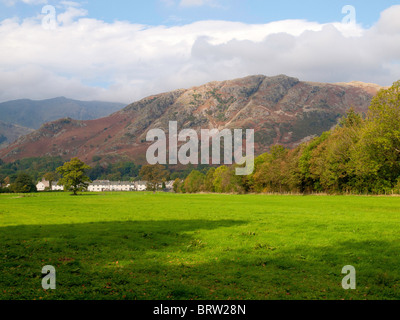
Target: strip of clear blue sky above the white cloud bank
(170,12)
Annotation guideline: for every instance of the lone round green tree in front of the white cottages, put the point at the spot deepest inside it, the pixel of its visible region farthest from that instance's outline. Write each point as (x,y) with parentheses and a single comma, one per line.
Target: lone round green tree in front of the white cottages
(74,176)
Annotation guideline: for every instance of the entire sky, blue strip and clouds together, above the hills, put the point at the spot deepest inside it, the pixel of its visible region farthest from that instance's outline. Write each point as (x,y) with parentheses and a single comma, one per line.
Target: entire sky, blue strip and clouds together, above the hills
(123,51)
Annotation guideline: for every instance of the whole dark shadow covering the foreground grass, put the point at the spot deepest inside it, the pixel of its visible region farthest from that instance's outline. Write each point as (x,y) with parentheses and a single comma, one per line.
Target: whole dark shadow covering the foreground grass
(167,260)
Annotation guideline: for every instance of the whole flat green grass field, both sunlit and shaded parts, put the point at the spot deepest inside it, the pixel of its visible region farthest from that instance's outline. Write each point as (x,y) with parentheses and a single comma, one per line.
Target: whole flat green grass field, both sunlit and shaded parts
(170,246)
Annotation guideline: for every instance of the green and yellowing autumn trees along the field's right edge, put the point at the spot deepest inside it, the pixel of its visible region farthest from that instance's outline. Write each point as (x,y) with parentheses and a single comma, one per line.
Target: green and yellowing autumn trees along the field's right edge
(361,155)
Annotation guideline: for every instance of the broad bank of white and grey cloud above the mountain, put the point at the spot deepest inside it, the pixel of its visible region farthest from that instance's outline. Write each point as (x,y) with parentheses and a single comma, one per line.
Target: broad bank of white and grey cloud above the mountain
(81,55)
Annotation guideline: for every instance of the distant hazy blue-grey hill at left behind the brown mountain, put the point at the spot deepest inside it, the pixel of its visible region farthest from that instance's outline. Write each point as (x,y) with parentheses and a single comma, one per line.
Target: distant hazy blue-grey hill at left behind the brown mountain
(32,114)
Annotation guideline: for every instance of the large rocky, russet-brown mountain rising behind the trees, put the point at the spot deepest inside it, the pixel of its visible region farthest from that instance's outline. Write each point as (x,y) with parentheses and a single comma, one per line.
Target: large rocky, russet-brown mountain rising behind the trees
(281,109)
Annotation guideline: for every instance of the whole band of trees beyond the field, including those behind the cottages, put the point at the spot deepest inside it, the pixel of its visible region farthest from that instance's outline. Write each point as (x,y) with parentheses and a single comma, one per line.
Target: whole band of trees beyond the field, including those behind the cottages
(361,155)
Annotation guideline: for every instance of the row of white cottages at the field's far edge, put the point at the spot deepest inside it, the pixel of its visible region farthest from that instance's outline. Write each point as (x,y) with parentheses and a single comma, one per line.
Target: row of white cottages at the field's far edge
(104,185)
